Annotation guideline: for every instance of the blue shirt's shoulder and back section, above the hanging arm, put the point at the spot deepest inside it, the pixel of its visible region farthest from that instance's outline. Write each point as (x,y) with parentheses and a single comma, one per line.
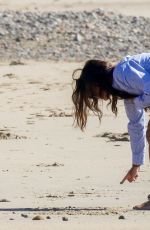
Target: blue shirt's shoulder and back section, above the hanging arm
(132,74)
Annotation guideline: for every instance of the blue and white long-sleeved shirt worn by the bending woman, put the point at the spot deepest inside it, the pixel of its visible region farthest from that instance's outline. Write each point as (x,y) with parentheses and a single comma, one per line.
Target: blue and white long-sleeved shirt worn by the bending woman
(132,75)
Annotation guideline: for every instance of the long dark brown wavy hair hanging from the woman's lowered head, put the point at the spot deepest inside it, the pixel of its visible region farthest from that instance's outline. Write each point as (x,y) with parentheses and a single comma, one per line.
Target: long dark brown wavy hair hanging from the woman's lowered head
(94,73)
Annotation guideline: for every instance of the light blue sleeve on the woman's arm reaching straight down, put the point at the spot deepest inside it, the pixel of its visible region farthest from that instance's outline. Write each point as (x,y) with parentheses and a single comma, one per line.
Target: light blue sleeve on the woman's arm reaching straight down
(136,129)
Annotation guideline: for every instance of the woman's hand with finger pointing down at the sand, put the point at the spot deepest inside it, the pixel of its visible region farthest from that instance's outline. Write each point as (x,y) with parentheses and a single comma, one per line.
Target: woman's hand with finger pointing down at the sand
(132,174)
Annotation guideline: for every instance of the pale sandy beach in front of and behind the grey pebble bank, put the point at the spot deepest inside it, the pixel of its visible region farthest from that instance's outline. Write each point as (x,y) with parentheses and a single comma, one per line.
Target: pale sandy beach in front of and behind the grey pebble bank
(71,179)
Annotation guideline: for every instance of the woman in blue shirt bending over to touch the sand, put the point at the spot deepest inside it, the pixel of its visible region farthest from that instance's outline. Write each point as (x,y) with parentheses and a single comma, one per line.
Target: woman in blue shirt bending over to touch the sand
(128,80)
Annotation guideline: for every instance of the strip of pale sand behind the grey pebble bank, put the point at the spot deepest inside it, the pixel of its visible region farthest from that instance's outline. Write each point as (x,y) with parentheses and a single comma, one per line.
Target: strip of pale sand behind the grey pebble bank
(127,7)
